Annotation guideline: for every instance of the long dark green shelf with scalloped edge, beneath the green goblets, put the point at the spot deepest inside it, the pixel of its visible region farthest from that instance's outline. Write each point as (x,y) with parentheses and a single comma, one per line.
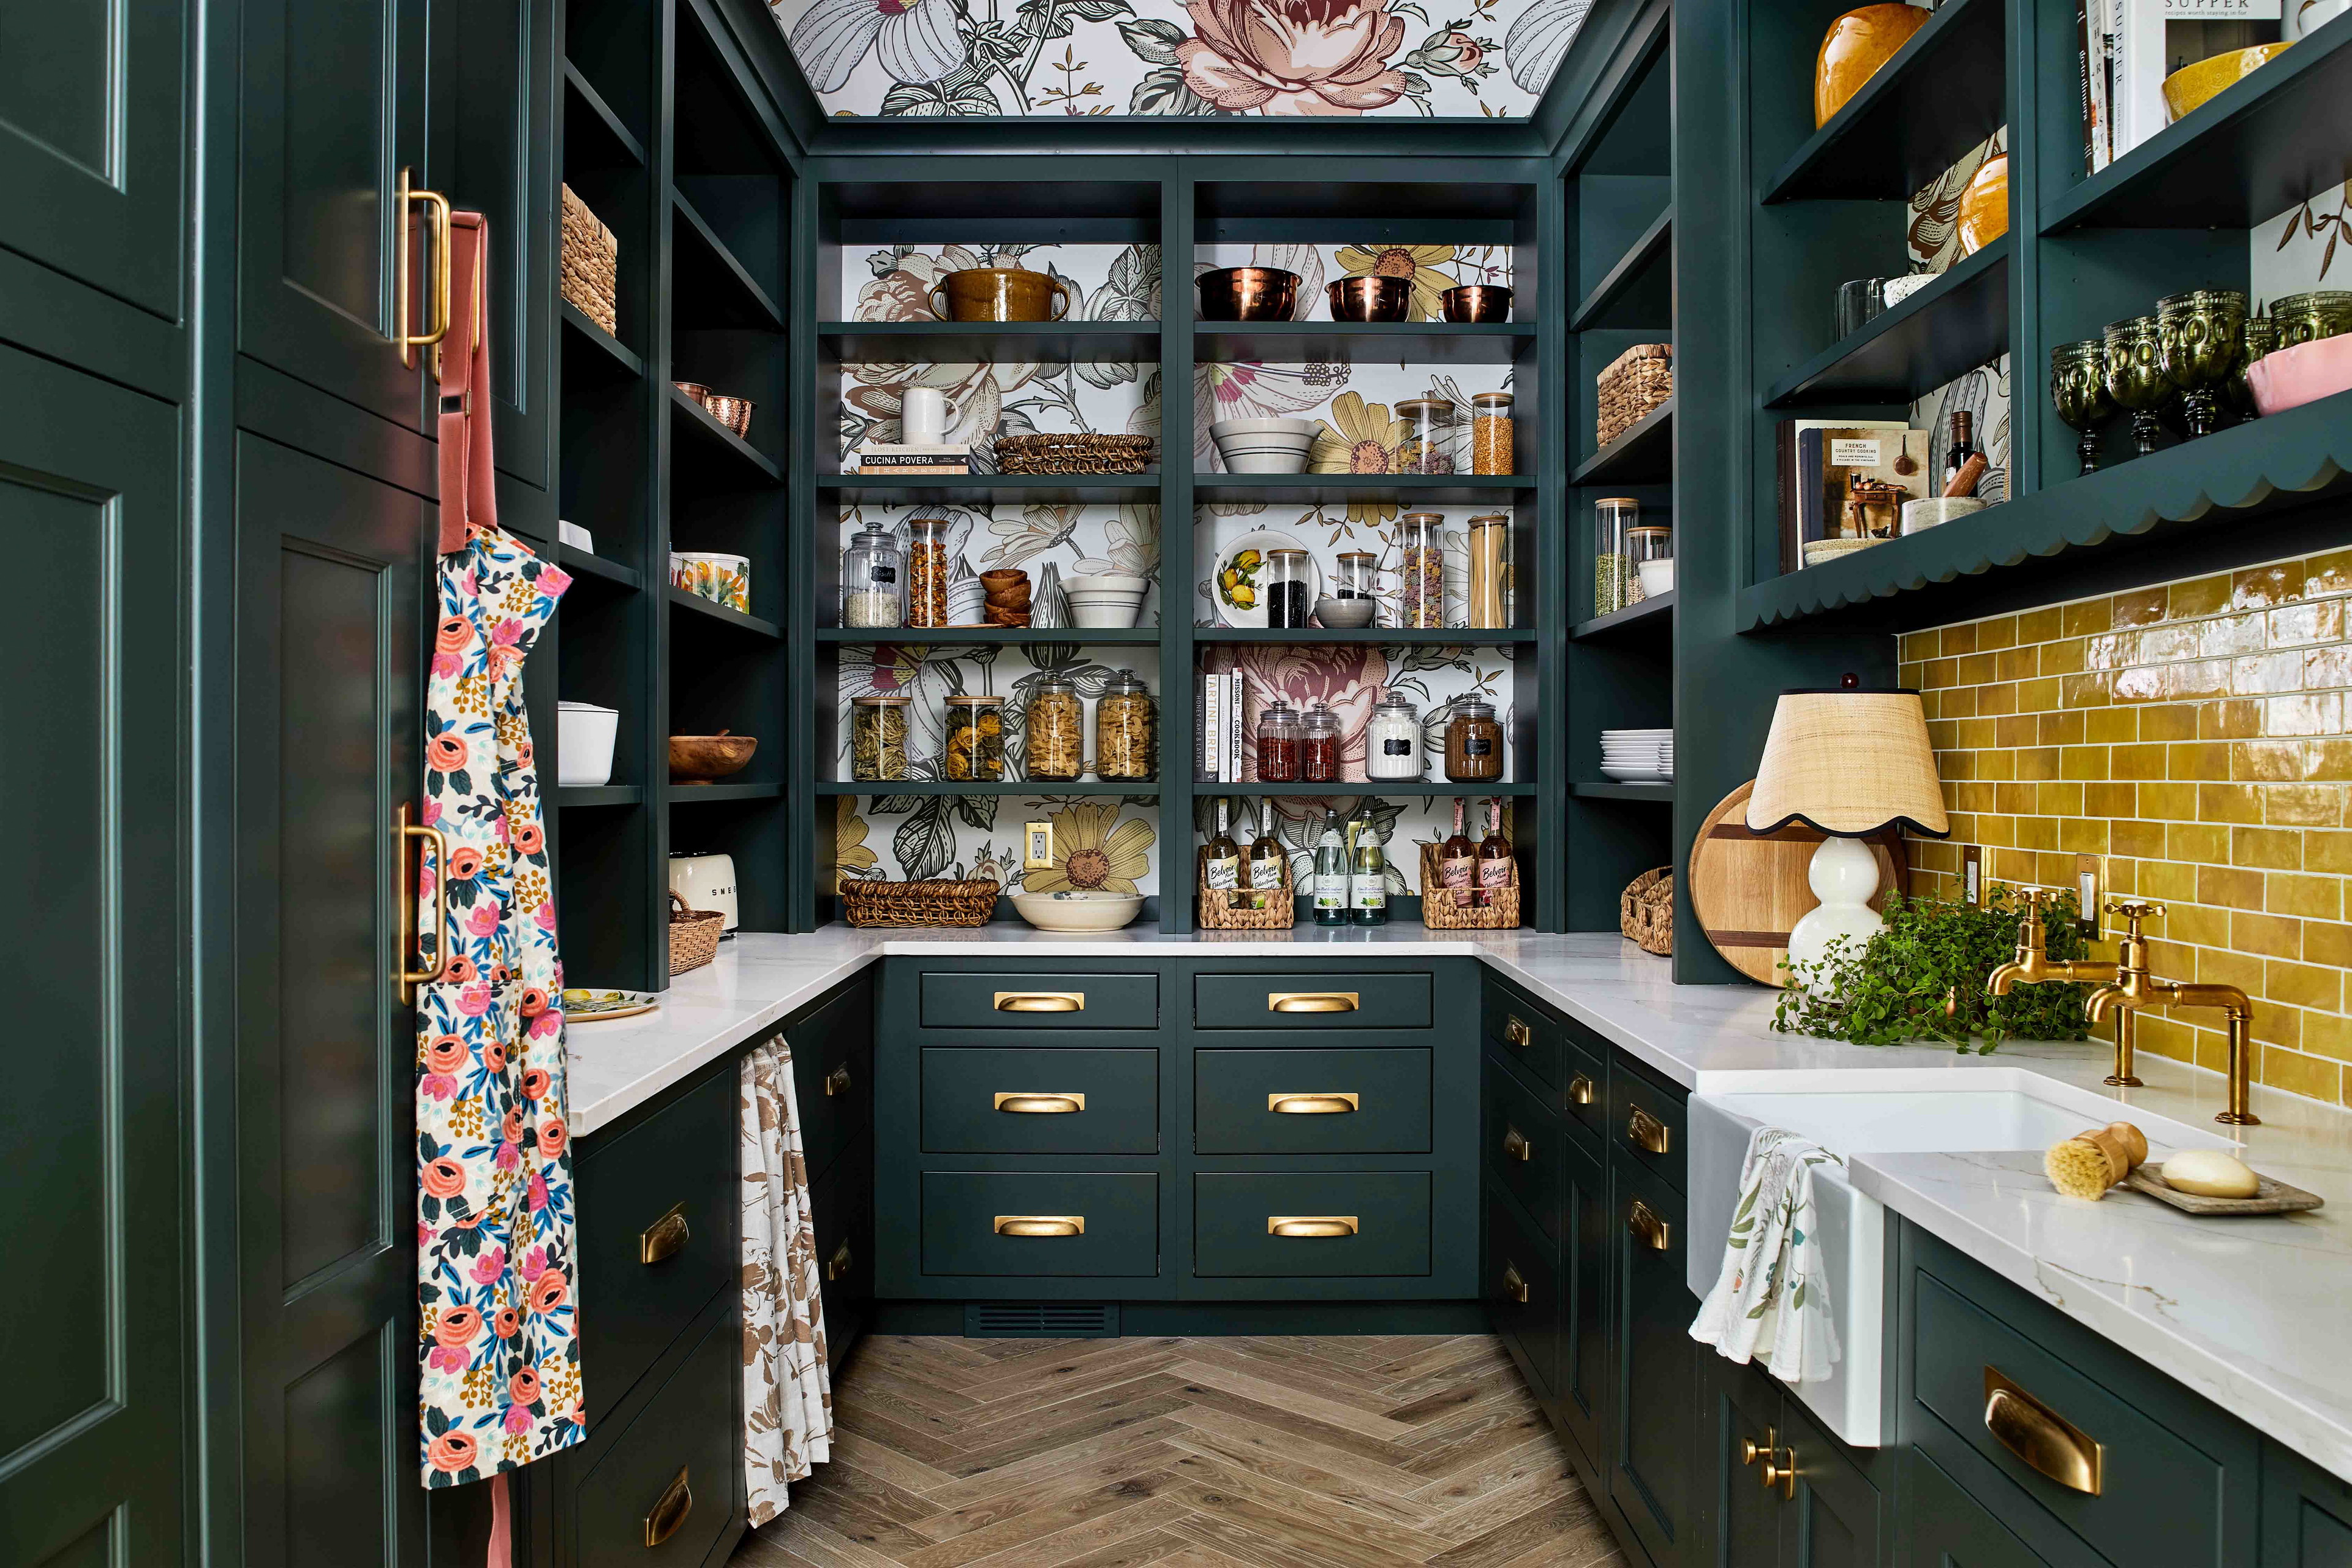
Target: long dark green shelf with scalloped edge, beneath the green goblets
(2219,488)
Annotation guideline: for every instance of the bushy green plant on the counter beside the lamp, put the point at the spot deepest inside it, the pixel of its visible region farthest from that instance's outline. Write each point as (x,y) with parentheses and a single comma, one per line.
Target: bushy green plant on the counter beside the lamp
(1923,977)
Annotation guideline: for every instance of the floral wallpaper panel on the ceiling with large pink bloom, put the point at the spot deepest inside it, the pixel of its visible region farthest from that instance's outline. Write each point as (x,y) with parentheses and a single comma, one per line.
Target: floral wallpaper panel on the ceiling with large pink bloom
(1156,58)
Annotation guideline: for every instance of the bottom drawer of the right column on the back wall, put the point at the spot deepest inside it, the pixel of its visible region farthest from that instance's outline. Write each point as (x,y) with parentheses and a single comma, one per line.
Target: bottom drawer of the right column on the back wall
(1241,1226)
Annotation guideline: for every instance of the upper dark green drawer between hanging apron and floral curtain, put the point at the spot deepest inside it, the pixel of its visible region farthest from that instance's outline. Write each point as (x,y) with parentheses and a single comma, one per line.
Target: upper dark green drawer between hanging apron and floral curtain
(660,1224)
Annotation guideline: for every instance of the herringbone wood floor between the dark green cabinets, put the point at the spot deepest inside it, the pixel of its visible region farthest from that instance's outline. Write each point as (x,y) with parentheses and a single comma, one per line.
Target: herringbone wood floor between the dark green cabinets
(1187,1454)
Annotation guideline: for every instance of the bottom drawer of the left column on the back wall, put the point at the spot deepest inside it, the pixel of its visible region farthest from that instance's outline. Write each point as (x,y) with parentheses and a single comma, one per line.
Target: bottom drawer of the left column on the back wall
(973,1224)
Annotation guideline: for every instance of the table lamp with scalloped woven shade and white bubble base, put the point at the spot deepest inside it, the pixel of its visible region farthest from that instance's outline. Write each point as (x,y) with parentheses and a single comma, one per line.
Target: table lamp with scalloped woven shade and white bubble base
(1845,763)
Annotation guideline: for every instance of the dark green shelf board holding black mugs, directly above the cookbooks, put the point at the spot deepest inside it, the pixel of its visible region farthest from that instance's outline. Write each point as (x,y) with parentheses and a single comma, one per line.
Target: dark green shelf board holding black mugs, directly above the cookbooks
(1944,330)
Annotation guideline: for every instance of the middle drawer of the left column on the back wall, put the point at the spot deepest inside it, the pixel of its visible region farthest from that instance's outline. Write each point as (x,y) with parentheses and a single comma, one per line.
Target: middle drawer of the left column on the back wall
(1041,1101)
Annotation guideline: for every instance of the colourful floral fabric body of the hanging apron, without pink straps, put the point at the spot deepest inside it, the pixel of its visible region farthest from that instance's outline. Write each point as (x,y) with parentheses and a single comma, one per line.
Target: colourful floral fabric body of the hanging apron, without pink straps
(497,1271)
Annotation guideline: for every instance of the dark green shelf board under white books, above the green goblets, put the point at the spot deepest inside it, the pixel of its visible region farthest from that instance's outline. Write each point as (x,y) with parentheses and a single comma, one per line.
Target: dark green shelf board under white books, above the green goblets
(2245,156)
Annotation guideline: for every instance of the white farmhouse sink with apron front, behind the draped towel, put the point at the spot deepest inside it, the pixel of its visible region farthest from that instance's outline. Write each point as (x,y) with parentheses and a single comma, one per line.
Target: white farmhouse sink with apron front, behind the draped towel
(1932,1111)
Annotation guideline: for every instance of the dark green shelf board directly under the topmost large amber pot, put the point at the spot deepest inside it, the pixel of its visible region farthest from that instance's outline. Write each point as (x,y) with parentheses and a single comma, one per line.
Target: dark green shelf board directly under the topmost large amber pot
(1913,119)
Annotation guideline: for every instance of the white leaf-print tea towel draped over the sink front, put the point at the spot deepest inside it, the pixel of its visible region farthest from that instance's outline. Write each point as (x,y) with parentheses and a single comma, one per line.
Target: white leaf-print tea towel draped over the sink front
(1772,1299)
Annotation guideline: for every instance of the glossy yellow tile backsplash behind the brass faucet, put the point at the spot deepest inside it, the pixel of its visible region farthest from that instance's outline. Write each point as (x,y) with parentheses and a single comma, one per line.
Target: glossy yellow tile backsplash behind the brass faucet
(2200,739)
